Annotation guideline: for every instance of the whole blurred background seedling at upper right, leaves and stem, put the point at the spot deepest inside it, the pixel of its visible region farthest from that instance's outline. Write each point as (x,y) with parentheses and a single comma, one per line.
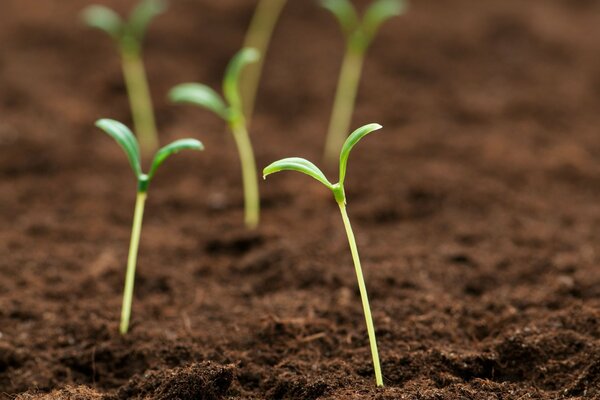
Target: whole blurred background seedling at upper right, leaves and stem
(359,35)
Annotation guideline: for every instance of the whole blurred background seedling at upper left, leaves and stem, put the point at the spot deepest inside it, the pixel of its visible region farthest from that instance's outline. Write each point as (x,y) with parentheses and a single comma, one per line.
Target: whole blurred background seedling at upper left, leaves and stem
(128,36)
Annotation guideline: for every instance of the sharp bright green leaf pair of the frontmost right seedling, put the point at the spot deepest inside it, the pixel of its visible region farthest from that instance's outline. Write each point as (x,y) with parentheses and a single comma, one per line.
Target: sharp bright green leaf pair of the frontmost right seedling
(310,169)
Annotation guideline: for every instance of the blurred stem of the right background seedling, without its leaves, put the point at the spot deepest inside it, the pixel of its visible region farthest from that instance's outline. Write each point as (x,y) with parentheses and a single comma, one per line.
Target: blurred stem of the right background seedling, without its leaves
(343,106)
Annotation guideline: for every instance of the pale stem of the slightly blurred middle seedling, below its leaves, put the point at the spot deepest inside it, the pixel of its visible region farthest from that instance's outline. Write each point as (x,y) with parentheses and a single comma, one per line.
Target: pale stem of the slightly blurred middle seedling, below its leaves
(249,175)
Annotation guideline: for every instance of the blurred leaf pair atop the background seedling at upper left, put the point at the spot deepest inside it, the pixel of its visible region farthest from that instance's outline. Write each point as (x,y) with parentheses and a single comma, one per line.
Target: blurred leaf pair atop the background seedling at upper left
(135,27)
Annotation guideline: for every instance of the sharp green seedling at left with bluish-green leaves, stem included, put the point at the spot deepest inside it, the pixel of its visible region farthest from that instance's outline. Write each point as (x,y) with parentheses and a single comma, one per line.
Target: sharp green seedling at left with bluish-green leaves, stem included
(125,138)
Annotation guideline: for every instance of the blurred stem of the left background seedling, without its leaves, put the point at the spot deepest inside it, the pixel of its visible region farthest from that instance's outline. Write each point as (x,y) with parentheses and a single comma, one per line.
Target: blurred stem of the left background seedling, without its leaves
(140,101)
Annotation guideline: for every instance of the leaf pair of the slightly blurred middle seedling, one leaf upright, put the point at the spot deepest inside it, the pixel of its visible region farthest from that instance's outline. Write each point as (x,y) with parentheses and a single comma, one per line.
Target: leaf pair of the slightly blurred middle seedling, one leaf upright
(204,96)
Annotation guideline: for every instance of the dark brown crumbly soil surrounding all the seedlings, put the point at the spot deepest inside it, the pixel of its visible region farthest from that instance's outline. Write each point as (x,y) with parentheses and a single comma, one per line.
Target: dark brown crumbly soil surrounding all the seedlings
(476,210)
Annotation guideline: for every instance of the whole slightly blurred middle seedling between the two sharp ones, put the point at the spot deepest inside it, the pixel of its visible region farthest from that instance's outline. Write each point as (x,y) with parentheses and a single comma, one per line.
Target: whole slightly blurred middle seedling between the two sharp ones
(232,112)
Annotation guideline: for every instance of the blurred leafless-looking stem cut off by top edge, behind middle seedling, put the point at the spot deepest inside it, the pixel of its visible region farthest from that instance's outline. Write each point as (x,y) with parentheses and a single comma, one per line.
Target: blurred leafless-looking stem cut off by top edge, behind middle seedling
(258,36)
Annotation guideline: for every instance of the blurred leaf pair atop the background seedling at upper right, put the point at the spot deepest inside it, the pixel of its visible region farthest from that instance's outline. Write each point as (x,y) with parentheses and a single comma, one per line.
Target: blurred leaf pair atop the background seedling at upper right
(377,13)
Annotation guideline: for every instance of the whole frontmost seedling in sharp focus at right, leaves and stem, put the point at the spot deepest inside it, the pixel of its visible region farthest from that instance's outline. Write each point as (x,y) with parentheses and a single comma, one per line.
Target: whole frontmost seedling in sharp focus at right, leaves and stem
(308,168)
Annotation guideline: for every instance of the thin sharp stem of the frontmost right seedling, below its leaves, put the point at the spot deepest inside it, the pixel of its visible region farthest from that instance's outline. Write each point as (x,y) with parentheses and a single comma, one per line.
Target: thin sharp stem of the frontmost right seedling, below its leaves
(363,294)
